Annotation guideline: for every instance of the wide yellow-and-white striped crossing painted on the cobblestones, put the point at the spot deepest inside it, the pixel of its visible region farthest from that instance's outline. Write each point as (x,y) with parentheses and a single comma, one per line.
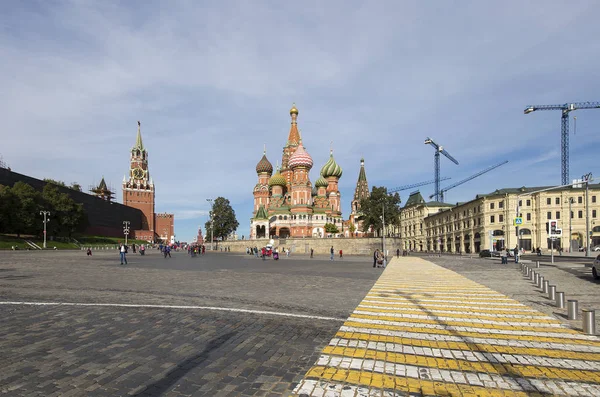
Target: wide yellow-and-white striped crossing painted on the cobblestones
(425,330)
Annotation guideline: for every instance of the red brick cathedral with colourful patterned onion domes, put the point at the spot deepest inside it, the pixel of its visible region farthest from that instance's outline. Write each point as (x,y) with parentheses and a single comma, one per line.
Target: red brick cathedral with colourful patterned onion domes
(285,203)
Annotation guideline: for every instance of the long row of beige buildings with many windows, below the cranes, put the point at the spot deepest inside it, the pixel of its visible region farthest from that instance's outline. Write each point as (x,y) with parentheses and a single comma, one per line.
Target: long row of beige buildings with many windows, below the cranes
(487,222)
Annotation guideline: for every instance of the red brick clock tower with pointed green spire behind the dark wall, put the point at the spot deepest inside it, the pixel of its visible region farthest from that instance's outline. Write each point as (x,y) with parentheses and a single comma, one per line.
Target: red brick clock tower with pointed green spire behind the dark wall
(138,188)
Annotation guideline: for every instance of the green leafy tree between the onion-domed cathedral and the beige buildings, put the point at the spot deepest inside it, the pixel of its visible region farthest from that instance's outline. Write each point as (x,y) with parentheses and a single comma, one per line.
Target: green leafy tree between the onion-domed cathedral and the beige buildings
(372,209)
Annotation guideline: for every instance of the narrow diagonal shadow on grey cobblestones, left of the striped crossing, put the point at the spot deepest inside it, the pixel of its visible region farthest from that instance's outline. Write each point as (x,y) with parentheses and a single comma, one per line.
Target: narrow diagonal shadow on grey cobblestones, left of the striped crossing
(162,385)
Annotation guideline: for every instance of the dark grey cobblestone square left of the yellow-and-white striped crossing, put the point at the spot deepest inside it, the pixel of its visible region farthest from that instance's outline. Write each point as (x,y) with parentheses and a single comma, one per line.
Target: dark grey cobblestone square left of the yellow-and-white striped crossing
(218,325)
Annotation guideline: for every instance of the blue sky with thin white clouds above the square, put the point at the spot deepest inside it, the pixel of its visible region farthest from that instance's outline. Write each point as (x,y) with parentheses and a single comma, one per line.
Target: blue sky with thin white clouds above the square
(213,82)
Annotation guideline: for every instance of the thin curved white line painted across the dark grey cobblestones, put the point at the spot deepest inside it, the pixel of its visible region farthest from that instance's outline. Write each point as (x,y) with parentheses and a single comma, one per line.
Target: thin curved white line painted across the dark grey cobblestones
(213,308)
